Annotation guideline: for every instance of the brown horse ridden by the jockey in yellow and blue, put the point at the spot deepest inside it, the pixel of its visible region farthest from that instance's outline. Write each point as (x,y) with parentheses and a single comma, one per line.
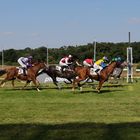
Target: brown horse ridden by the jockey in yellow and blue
(84,73)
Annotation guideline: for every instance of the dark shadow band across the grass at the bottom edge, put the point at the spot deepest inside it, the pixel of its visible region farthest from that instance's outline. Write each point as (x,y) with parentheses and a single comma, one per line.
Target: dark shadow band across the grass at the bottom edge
(76,131)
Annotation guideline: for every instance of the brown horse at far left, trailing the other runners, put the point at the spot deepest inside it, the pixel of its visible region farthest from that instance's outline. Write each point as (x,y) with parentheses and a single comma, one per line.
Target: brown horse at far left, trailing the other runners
(13,73)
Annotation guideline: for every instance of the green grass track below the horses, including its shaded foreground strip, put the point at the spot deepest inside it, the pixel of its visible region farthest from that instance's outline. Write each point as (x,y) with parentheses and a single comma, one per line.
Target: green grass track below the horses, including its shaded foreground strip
(52,114)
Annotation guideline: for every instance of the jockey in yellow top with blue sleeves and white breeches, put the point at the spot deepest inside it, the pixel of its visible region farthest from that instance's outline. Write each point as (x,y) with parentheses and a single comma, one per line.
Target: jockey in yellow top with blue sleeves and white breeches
(100,64)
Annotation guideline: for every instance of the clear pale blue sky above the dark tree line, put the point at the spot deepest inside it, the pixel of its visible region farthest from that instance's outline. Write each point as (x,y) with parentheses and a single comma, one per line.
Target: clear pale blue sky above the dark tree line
(57,23)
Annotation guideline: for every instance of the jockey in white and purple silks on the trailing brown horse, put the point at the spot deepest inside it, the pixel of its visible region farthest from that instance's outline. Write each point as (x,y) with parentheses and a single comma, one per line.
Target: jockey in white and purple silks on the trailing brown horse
(25,63)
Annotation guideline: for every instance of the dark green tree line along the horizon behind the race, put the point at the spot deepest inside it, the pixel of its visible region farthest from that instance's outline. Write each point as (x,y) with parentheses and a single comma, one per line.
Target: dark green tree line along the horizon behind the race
(81,52)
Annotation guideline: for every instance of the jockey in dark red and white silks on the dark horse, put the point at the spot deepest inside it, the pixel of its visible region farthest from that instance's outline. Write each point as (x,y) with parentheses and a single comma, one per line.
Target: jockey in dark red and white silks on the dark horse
(66,61)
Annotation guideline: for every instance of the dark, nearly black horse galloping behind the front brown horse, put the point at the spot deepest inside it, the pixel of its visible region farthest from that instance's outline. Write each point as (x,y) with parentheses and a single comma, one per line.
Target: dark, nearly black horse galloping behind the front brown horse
(55,71)
